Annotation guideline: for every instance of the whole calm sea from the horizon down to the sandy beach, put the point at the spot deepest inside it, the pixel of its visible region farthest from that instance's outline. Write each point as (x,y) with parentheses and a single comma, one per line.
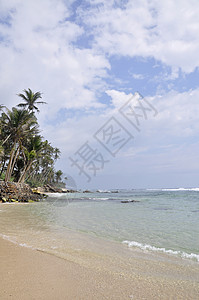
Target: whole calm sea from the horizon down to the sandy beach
(164,221)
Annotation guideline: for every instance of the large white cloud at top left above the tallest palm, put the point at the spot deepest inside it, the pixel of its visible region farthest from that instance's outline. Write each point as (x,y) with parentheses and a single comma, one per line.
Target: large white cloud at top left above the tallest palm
(38,51)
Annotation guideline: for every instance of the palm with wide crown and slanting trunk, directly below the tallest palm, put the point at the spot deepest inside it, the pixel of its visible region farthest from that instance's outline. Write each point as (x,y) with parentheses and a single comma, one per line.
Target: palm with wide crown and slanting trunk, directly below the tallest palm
(19,124)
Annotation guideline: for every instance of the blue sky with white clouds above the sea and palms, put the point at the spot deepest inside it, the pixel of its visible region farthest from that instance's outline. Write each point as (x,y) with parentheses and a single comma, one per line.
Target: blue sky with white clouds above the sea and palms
(121,79)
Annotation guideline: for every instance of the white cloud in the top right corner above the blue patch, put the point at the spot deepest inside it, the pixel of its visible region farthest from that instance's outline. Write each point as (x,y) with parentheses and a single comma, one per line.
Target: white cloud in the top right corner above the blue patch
(165,30)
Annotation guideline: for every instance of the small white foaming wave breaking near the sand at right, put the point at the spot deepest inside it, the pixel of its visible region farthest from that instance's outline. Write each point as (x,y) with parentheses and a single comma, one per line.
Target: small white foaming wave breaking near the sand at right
(163,250)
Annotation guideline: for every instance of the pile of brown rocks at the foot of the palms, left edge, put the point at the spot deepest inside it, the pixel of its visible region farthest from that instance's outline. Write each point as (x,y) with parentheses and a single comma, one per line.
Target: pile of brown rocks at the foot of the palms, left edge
(17,192)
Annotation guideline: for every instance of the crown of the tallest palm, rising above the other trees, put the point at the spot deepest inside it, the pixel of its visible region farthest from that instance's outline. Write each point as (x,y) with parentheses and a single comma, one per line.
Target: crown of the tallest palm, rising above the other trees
(30,99)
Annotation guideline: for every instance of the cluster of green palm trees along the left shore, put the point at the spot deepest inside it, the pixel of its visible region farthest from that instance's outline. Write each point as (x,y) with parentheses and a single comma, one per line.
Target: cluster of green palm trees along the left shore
(24,155)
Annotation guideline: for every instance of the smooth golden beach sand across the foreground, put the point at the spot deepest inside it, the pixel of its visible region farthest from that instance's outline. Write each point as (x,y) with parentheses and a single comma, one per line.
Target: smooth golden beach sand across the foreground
(31,274)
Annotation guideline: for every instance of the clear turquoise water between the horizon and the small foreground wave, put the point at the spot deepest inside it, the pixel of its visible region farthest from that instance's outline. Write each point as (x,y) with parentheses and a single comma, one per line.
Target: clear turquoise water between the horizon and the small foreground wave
(161,221)
